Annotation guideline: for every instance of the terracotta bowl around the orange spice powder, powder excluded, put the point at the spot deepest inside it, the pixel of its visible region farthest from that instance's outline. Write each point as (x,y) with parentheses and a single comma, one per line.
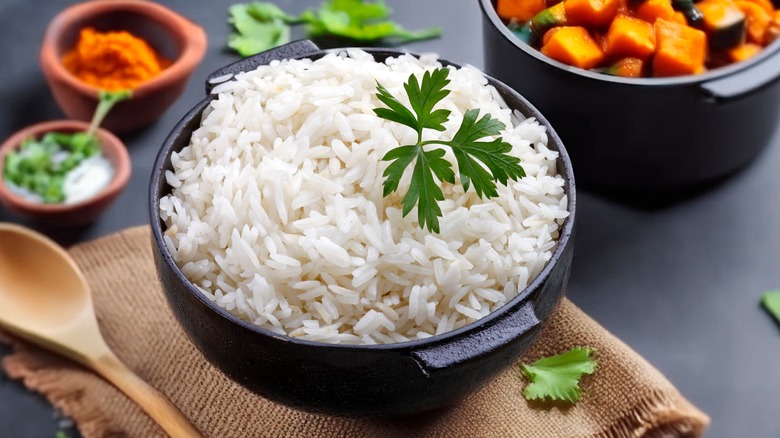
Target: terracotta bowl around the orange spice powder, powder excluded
(169,34)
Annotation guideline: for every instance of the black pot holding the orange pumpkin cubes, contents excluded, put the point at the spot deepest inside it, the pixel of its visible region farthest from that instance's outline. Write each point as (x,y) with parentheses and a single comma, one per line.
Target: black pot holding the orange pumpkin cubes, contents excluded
(644,134)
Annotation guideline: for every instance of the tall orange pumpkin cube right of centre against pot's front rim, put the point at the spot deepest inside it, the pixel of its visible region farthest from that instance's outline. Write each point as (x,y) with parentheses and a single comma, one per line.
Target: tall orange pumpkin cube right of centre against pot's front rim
(680,50)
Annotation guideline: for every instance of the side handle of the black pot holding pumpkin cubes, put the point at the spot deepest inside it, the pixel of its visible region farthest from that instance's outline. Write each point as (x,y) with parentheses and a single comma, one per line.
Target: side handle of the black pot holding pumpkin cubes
(744,82)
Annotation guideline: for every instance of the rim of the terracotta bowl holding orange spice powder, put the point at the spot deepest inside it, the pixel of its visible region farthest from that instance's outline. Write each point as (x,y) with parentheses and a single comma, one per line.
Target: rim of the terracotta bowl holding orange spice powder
(193,36)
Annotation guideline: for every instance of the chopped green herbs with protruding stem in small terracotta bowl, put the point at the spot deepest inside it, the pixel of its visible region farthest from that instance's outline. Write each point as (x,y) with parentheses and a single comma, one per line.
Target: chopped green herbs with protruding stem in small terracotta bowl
(40,165)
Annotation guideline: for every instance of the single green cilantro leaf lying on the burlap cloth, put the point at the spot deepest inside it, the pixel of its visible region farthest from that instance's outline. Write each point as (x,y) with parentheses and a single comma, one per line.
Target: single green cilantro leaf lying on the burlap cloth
(558,377)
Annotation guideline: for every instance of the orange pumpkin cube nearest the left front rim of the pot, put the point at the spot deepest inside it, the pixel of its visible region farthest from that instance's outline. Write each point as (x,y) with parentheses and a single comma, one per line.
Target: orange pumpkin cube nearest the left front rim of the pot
(573,45)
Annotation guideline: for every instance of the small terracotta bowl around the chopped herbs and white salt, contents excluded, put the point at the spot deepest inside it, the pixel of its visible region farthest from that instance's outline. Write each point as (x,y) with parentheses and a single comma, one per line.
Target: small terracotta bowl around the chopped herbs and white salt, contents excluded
(81,213)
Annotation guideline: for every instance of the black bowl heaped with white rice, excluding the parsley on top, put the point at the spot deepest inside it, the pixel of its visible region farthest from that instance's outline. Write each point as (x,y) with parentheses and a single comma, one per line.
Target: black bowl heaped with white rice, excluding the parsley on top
(294,275)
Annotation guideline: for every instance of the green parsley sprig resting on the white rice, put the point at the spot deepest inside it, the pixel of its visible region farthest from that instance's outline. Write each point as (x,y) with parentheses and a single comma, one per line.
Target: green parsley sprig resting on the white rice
(480,163)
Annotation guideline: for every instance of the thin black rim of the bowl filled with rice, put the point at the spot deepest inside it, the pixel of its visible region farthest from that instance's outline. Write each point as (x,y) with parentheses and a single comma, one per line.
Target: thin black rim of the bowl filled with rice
(157,181)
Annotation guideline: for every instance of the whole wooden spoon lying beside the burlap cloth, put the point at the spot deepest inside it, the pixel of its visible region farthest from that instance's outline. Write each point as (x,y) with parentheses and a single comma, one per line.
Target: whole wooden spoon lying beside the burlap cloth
(45,299)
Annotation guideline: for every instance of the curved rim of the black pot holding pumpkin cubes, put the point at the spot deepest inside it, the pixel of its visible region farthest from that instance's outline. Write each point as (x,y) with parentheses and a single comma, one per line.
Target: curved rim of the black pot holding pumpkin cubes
(489,12)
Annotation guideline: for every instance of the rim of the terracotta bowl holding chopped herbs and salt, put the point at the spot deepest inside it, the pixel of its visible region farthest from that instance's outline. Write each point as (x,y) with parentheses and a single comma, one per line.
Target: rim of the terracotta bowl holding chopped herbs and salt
(121,163)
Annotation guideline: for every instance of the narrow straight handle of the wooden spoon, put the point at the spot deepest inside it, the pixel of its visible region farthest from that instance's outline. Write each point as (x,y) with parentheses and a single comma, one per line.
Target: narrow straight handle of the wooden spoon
(151,401)
